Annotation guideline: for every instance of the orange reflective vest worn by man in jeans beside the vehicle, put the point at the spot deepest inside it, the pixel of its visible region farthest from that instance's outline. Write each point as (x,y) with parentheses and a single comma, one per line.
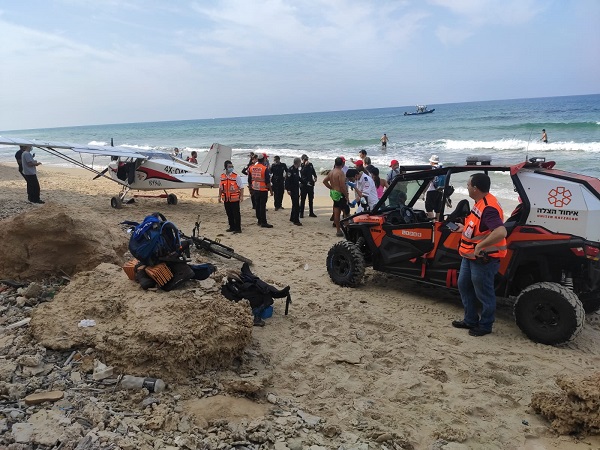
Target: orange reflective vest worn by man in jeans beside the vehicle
(471,235)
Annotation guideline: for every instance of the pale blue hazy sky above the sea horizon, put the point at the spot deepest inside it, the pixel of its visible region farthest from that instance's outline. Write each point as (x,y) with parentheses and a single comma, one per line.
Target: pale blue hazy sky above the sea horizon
(83,62)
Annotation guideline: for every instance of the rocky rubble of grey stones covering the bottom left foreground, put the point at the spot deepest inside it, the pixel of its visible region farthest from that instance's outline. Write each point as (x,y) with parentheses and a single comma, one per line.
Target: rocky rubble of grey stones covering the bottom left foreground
(54,399)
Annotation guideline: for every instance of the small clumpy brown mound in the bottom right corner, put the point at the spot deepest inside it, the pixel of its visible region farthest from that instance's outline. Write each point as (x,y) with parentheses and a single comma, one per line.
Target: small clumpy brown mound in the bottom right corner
(574,410)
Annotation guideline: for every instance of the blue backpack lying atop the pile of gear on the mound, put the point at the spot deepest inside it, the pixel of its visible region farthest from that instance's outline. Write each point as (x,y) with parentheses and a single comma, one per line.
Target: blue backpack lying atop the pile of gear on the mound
(154,239)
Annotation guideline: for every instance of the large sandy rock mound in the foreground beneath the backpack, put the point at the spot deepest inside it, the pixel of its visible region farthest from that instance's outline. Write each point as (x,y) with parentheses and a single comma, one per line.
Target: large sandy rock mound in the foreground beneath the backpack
(170,335)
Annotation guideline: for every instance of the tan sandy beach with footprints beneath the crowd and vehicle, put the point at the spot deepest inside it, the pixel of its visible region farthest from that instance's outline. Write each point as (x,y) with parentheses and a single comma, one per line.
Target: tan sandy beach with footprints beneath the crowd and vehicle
(379,359)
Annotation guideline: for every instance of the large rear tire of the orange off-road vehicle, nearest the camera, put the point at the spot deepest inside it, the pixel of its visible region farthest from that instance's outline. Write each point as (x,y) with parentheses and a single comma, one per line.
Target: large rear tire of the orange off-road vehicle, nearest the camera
(549,313)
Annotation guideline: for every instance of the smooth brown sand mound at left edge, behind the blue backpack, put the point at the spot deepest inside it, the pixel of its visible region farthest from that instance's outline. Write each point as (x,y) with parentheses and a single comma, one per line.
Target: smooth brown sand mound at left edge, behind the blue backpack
(54,238)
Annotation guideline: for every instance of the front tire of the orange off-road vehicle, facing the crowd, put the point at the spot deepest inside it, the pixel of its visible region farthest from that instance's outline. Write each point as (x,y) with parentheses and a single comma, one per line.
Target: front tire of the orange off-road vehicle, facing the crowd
(345,264)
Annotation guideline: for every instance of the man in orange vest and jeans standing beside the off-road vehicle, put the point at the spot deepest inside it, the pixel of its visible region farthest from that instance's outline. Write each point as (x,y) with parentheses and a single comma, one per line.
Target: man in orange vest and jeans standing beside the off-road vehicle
(482,244)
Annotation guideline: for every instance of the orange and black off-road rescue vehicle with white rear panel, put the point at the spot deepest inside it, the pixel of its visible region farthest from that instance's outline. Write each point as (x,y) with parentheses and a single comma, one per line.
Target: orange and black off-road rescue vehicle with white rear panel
(551,271)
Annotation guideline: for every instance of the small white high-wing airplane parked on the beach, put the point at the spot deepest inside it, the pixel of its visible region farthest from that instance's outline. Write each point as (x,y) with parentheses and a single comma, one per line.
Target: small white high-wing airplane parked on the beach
(141,171)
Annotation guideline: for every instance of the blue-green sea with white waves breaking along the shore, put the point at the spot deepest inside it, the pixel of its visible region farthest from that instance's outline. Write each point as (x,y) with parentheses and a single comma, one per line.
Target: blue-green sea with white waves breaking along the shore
(507,130)
